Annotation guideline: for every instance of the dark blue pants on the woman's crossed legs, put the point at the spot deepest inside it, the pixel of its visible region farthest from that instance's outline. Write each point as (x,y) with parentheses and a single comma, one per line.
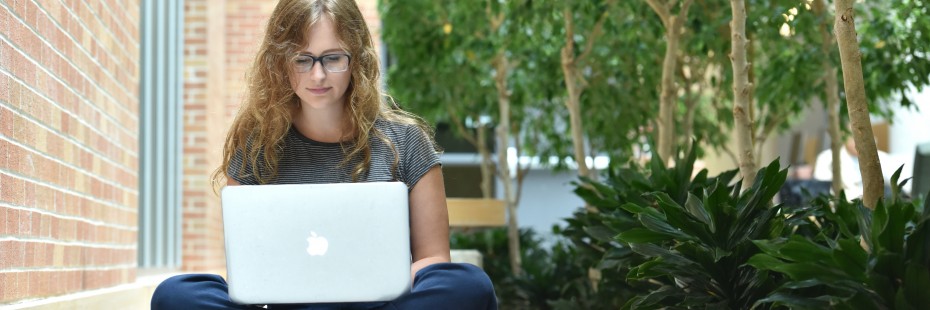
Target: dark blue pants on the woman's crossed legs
(437,286)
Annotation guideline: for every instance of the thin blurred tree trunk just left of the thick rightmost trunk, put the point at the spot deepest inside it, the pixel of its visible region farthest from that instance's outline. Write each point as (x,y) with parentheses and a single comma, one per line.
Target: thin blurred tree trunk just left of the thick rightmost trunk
(833,97)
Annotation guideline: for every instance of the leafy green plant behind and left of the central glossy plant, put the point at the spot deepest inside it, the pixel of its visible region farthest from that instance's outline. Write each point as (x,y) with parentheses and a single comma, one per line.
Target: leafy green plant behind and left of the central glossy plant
(592,231)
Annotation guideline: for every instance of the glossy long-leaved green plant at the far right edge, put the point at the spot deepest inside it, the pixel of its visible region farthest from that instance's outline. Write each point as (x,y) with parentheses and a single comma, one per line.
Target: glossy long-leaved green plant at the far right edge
(848,256)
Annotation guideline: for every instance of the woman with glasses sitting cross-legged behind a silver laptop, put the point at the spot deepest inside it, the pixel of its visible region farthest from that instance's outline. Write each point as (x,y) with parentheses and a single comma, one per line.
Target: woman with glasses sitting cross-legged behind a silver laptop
(315,114)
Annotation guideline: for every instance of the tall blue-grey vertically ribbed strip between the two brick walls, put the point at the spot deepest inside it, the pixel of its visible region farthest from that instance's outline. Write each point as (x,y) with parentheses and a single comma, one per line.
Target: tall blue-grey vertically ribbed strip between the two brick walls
(160,132)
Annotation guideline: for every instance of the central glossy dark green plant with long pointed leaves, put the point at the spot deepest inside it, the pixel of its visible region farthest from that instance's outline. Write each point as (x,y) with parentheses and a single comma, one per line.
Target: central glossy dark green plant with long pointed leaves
(699,248)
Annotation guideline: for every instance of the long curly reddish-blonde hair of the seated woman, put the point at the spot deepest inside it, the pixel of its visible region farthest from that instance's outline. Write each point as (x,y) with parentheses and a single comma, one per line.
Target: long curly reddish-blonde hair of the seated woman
(266,114)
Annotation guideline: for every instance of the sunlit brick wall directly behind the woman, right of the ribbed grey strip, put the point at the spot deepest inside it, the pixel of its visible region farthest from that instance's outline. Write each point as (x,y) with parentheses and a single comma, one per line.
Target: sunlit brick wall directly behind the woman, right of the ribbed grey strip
(221,37)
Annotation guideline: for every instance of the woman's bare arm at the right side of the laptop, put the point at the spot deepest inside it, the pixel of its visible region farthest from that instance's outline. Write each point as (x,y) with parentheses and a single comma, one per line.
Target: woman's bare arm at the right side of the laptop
(429,221)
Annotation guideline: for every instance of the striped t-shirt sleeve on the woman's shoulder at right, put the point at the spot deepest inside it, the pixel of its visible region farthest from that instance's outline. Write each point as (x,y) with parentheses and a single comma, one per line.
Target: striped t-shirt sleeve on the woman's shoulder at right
(418,156)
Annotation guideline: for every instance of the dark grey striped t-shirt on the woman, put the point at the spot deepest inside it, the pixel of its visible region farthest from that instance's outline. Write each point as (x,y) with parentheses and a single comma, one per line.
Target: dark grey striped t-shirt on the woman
(303,160)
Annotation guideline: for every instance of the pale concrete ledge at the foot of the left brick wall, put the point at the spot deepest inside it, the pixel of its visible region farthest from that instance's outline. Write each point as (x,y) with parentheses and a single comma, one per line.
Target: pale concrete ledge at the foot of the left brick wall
(136,295)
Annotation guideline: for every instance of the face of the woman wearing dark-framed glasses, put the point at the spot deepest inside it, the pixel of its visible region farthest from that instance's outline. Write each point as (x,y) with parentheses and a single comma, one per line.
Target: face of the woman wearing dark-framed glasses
(321,71)
